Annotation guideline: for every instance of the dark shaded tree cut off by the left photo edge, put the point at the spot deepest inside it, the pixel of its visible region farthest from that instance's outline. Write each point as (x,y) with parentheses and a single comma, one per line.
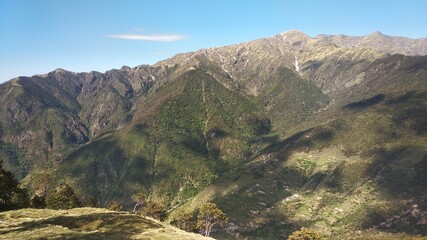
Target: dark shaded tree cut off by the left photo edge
(11,195)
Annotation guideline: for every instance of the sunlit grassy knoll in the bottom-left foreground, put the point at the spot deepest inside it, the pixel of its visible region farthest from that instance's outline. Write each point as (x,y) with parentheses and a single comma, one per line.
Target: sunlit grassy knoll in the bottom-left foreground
(85,223)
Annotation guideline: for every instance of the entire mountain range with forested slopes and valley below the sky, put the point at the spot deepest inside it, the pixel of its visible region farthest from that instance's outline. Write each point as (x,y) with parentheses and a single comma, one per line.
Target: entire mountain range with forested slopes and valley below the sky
(281,132)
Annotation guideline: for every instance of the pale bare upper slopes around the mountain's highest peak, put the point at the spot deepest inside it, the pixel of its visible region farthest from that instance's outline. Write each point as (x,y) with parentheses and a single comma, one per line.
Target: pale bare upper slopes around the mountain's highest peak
(282,51)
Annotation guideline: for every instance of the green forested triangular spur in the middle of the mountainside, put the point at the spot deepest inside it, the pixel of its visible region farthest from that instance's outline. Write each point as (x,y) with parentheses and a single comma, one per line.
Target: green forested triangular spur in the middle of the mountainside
(199,130)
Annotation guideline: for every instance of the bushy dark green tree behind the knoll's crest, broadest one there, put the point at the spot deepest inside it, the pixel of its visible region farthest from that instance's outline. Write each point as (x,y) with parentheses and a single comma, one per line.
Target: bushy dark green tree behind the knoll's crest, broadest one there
(63,197)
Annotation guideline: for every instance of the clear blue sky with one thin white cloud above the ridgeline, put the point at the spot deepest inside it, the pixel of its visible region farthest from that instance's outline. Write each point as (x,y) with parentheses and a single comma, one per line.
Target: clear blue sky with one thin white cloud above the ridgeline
(38,36)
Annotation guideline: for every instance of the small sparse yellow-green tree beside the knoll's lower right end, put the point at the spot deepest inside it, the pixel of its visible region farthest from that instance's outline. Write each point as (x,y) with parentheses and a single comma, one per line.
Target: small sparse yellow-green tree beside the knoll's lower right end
(209,216)
